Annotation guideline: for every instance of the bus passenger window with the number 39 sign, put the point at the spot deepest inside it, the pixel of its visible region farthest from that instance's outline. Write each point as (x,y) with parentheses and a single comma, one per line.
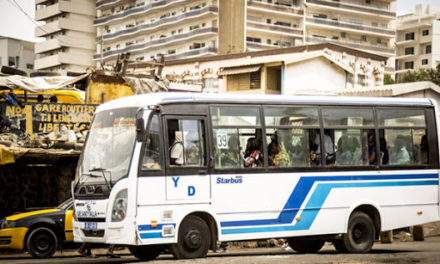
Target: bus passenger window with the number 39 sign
(238,140)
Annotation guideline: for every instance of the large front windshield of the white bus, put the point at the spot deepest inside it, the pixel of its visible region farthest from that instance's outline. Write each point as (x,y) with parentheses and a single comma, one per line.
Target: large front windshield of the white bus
(108,150)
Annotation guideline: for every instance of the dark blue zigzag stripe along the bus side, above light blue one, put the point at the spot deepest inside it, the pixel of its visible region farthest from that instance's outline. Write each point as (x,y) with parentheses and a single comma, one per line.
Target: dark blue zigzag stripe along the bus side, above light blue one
(303,188)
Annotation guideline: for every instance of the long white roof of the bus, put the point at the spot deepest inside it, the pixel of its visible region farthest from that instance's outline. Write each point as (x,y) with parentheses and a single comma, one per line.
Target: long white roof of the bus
(172,97)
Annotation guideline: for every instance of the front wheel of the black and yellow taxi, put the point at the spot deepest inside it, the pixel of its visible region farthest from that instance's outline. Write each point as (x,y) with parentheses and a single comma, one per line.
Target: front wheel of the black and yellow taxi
(42,242)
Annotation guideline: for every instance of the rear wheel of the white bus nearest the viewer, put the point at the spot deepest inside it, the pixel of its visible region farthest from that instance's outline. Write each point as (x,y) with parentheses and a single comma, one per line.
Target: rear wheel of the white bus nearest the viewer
(360,234)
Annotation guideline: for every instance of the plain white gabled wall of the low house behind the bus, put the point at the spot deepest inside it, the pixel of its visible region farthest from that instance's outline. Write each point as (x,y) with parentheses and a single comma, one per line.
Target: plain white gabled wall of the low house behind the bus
(317,74)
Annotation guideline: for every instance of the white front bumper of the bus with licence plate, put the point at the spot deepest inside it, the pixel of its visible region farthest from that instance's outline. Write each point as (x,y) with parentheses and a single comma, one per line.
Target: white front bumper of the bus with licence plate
(120,233)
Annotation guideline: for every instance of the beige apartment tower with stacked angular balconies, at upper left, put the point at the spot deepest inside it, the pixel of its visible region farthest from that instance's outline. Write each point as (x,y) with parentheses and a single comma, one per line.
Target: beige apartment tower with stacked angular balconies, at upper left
(69,35)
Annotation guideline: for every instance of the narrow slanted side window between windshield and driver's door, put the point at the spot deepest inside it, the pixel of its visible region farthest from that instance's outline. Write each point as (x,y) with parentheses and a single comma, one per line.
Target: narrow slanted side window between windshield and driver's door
(151,157)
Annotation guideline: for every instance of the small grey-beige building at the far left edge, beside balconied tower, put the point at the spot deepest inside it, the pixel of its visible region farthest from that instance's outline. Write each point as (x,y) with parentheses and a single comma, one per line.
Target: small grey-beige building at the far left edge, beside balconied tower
(17,53)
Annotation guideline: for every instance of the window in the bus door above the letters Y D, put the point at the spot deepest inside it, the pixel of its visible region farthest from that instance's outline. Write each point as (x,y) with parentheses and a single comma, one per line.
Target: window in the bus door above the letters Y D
(186,143)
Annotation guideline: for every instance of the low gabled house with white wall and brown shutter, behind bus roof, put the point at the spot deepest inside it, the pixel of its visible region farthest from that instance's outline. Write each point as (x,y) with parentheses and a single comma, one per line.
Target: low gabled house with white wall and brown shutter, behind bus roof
(286,71)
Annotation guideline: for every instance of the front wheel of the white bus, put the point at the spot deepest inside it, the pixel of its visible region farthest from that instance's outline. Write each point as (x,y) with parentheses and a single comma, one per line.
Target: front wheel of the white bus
(193,239)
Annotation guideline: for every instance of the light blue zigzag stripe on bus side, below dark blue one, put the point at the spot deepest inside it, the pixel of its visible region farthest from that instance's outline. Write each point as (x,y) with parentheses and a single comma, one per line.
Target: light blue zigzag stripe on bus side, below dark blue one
(315,203)
